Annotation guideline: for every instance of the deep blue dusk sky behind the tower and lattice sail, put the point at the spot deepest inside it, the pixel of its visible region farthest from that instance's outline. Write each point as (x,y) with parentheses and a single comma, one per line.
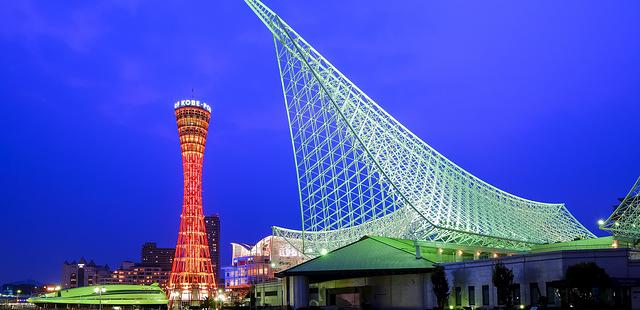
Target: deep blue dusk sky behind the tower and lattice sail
(540,98)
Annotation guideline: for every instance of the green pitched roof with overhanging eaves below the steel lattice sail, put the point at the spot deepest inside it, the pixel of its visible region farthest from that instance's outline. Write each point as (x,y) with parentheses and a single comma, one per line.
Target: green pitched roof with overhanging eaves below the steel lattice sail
(367,256)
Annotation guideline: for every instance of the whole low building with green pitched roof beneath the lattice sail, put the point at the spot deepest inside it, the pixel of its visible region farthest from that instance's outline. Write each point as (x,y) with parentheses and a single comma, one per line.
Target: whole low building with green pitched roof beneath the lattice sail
(388,273)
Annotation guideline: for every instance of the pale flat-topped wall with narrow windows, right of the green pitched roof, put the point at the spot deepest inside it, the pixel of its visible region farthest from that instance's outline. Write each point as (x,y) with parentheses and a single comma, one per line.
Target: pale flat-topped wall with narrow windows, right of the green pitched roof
(542,274)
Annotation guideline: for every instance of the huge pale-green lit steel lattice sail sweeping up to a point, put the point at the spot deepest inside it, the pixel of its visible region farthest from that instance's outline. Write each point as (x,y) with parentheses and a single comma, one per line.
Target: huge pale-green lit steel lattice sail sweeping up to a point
(361,172)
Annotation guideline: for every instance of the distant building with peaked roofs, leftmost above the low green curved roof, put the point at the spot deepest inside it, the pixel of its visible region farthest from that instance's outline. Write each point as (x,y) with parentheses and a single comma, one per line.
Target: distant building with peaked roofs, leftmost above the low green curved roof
(83,273)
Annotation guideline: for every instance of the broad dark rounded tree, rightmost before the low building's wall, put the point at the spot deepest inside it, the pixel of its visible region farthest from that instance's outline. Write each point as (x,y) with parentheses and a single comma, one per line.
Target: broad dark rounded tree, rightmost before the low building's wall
(581,279)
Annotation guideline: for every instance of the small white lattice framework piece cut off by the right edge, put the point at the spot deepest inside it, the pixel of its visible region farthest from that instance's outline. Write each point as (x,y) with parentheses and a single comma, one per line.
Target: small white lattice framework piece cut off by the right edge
(624,222)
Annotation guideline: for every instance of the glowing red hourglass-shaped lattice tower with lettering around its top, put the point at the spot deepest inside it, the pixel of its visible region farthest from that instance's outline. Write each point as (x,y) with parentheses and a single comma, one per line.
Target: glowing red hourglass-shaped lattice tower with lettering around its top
(192,278)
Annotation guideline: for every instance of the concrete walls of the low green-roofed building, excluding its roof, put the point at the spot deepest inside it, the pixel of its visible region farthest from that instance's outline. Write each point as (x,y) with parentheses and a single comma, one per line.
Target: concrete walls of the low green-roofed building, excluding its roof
(415,291)
